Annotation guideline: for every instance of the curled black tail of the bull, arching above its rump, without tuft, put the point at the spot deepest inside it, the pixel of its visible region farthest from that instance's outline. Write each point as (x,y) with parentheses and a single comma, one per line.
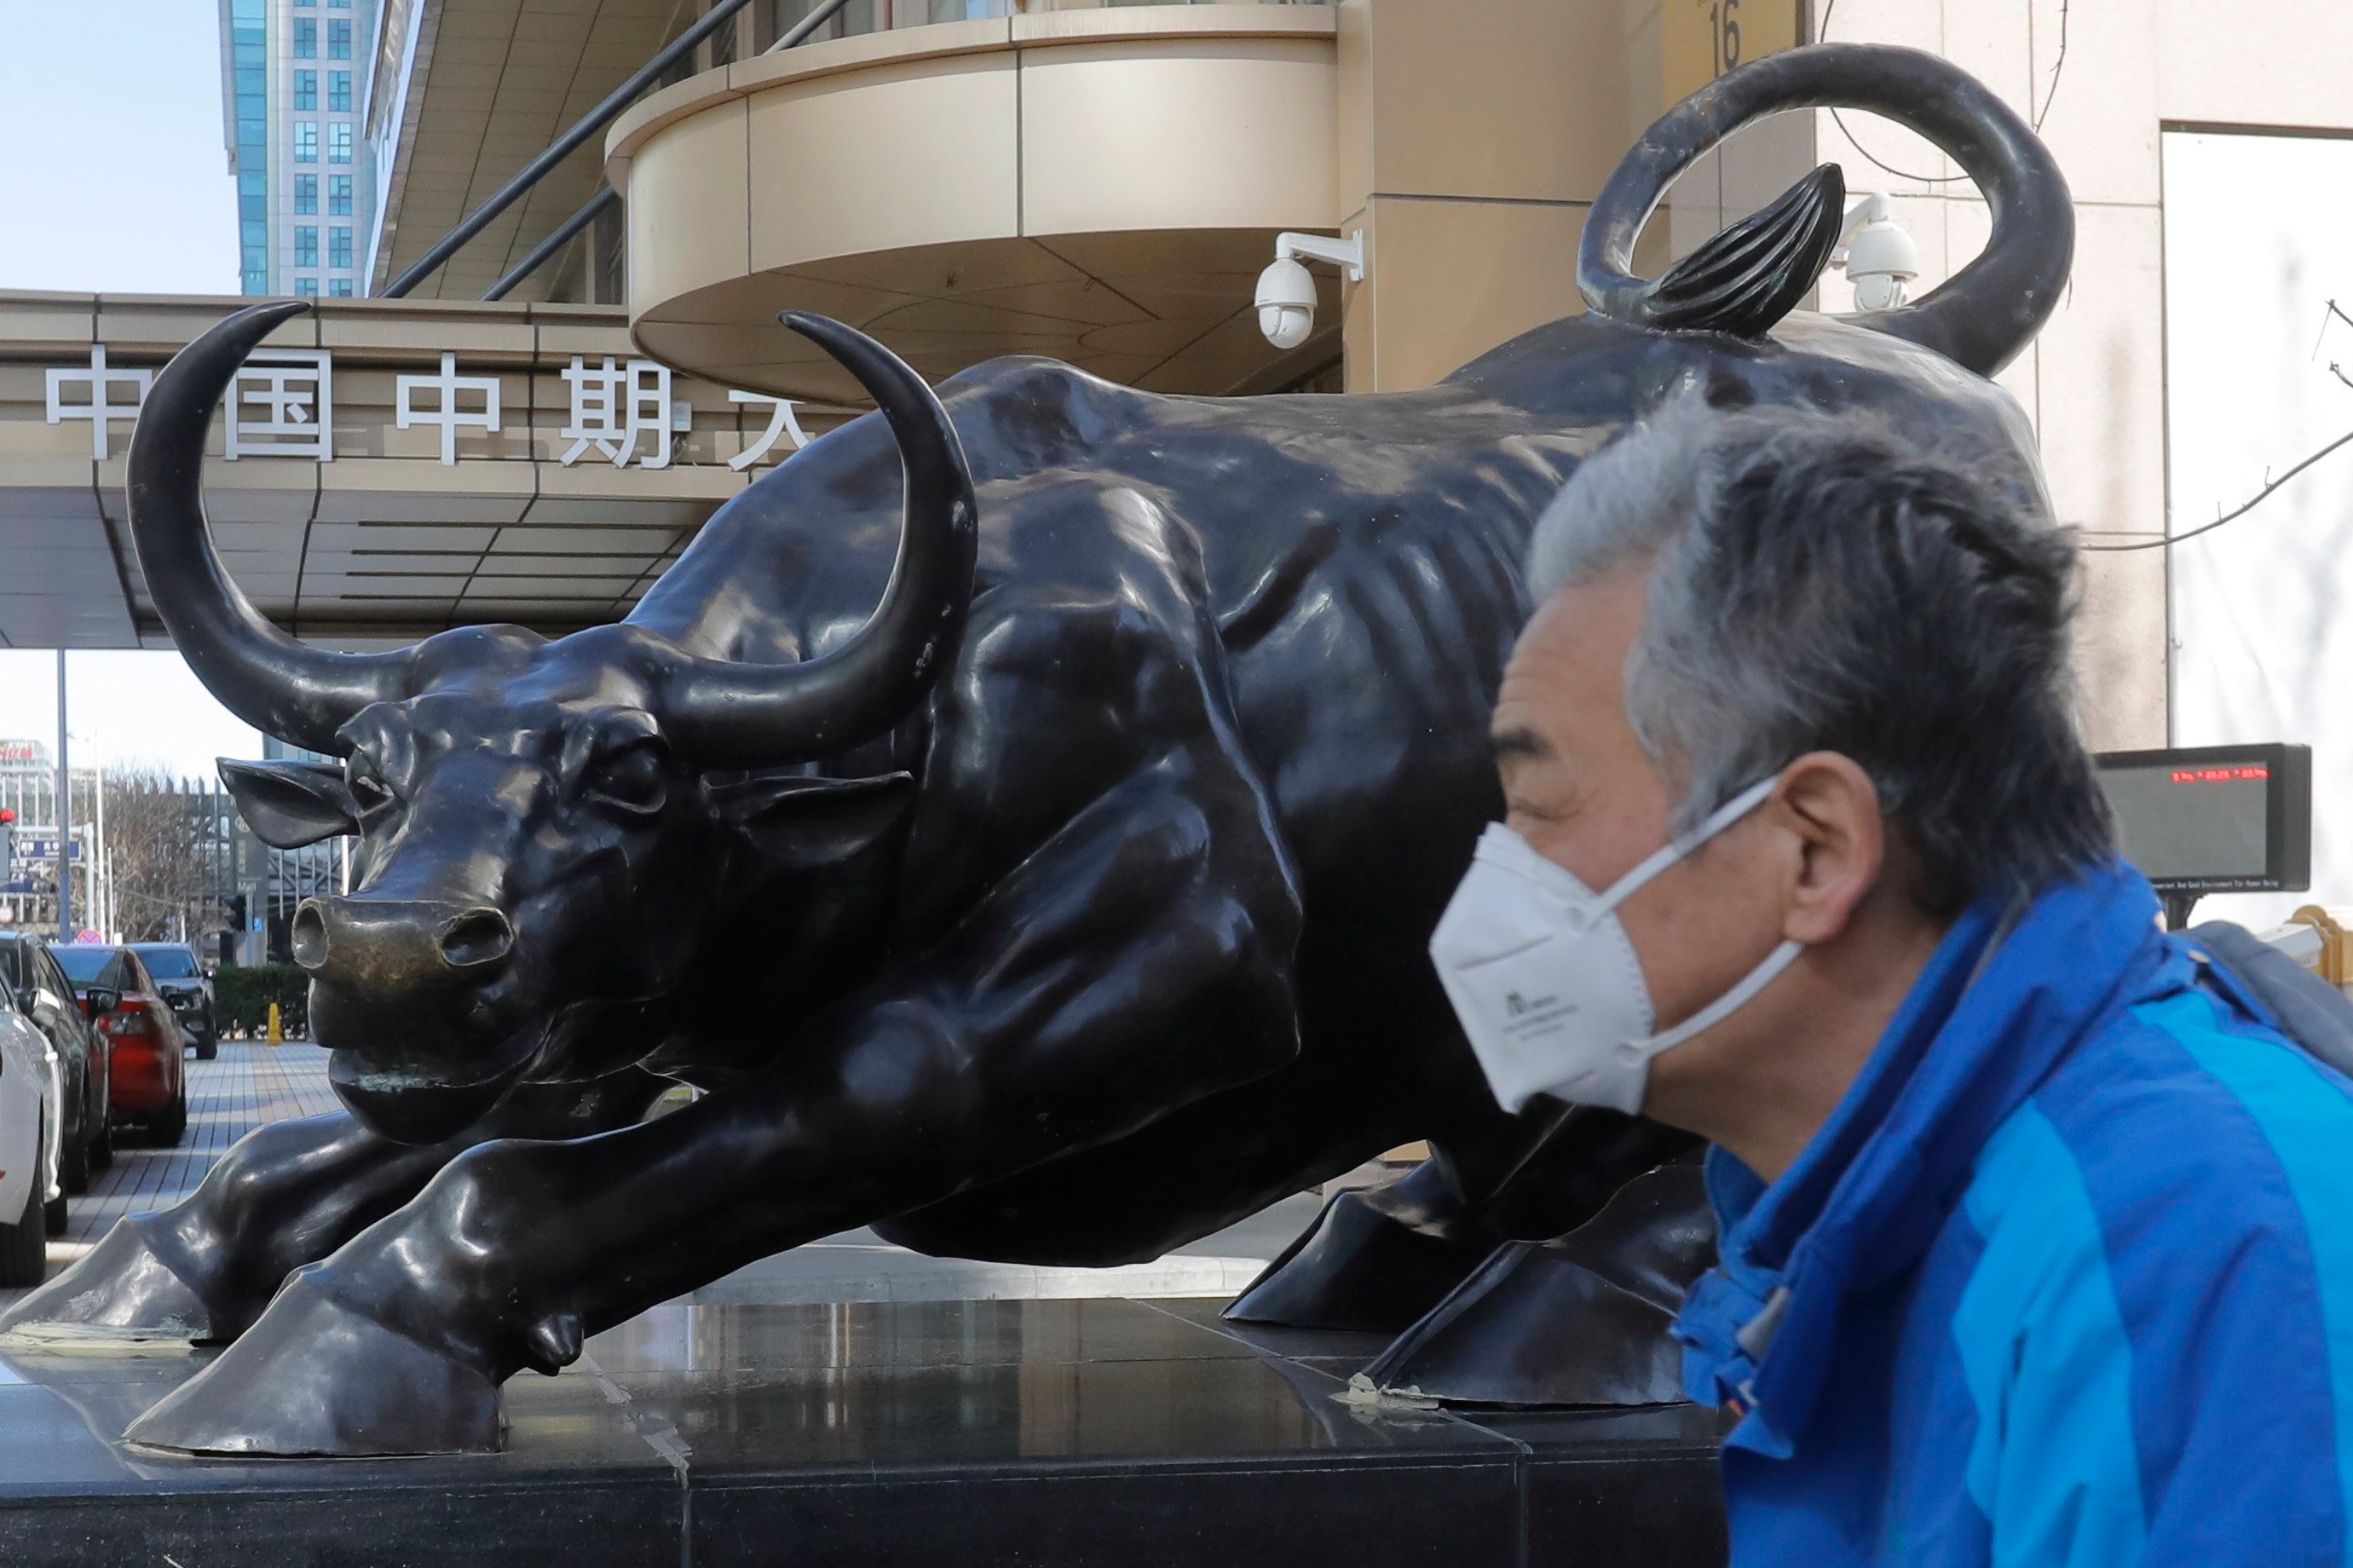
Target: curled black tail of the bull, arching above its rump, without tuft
(1987,312)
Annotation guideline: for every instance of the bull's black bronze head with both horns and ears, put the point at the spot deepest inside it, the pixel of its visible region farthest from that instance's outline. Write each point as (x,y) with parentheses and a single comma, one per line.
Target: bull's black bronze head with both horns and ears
(538,823)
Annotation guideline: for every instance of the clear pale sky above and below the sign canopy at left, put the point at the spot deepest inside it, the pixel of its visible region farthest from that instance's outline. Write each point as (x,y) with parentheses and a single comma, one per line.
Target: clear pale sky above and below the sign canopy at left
(116,180)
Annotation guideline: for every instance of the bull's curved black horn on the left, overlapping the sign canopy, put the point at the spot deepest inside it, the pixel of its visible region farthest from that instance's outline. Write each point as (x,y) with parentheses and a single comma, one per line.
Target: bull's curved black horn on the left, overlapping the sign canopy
(258,672)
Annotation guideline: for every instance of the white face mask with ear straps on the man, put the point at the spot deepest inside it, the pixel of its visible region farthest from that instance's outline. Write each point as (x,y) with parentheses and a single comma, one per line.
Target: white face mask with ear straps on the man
(1547,983)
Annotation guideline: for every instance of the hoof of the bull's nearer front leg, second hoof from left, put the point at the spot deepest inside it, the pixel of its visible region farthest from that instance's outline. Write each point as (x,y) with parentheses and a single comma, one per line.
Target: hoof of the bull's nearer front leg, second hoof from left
(316,1378)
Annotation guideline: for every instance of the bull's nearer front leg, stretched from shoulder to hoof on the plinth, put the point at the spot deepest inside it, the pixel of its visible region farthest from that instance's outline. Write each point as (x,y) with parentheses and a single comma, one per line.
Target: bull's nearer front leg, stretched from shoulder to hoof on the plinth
(1131,966)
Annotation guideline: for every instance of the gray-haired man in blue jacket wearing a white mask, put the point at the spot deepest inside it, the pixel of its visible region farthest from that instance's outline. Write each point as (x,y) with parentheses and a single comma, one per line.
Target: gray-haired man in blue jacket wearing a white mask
(2037,1233)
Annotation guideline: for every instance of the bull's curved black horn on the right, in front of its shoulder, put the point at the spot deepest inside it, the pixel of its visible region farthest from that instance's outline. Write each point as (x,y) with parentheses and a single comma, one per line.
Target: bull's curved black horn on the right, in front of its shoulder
(747,715)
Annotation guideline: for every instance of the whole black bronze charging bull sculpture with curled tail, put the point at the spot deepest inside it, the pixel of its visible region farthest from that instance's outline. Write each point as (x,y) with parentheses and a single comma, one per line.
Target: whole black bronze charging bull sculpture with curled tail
(1076,776)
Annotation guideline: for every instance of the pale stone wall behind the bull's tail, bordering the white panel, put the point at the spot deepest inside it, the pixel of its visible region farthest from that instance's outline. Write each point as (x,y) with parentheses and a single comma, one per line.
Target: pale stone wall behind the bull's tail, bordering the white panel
(2095,380)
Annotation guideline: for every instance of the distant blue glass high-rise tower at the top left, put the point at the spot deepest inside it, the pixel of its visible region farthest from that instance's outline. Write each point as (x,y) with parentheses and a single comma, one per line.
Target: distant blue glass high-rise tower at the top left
(295,84)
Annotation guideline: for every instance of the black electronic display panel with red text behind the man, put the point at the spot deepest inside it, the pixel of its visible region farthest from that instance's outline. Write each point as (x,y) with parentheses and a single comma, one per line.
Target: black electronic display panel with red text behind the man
(2215,818)
